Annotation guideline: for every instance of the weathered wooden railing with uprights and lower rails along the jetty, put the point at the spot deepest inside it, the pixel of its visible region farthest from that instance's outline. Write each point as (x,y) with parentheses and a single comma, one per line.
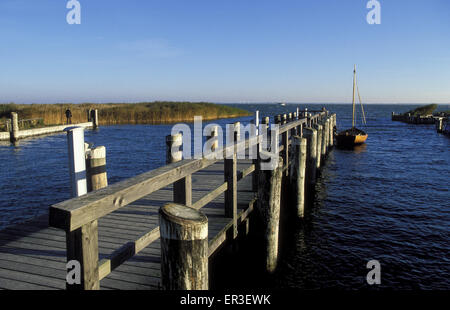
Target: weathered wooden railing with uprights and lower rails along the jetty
(79,216)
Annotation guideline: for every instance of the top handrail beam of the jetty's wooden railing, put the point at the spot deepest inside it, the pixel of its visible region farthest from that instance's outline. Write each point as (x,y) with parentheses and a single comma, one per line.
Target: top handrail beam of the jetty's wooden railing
(74,213)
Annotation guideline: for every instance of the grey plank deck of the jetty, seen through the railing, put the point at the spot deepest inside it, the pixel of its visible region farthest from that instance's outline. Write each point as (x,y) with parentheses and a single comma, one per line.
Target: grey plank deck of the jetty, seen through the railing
(33,255)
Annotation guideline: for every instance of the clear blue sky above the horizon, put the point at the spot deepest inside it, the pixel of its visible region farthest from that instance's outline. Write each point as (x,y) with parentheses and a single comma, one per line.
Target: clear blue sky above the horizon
(224,51)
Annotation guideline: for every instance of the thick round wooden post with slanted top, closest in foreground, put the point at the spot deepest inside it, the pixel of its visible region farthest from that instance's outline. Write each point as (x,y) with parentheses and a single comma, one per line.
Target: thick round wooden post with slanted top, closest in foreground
(184,248)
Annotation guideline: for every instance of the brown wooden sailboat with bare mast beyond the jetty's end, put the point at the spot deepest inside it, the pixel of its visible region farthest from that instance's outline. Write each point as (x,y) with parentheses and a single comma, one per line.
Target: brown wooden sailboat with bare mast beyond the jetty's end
(353,136)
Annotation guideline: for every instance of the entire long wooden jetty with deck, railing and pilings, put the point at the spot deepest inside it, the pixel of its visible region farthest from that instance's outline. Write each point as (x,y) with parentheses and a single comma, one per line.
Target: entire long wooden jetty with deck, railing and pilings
(139,233)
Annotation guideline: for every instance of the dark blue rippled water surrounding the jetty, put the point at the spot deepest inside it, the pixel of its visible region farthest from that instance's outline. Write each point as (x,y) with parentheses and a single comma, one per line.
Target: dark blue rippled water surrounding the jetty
(388,200)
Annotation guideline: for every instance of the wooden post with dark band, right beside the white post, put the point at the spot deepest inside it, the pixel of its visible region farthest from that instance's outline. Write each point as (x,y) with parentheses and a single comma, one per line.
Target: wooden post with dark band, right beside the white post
(96,168)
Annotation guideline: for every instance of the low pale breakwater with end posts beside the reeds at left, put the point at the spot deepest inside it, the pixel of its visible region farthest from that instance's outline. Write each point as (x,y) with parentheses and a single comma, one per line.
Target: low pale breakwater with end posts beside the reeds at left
(16,134)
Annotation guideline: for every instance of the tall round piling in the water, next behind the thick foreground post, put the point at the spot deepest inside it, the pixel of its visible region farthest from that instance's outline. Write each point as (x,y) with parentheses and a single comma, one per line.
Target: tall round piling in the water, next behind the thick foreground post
(268,205)
